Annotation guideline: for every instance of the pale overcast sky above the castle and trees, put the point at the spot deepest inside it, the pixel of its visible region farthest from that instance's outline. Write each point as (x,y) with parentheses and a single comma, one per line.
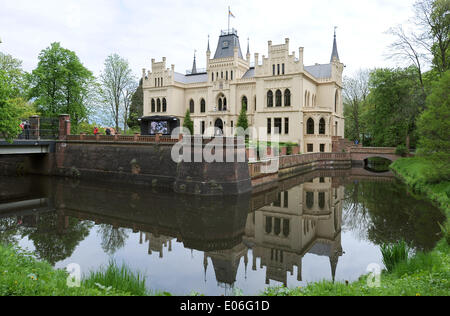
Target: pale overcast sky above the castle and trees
(140,30)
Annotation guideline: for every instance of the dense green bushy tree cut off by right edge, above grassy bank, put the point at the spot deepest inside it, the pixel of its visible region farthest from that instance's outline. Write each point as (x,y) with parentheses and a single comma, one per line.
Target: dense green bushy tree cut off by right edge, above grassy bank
(434,123)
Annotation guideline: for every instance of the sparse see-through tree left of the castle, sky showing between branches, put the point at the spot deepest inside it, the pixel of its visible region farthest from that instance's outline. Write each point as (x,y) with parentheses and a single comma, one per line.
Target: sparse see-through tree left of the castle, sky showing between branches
(116,83)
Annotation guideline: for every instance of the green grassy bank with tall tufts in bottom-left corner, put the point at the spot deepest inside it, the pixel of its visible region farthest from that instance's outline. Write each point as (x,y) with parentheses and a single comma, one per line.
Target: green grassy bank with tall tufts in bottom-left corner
(22,275)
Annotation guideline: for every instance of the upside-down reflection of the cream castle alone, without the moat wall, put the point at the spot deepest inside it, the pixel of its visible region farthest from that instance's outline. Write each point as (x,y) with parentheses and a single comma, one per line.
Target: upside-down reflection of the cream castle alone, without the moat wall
(304,219)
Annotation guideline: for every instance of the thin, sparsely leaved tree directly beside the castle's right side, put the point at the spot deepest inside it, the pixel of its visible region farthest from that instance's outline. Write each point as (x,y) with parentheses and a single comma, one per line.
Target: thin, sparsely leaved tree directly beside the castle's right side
(356,90)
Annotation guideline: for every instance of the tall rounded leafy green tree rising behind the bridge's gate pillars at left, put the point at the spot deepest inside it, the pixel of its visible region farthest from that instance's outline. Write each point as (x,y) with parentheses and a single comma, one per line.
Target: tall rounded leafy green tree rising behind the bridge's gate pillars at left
(60,84)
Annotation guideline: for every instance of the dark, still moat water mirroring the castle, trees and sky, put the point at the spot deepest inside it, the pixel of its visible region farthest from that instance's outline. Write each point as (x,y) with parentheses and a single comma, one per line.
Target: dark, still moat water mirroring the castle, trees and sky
(320,226)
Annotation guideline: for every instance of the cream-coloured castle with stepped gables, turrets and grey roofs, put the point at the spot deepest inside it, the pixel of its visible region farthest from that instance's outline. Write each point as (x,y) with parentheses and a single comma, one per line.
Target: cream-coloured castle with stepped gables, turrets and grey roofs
(301,104)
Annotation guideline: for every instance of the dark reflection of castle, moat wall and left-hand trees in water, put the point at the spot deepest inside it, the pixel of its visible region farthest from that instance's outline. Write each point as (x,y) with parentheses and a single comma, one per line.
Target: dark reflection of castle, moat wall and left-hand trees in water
(279,227)
